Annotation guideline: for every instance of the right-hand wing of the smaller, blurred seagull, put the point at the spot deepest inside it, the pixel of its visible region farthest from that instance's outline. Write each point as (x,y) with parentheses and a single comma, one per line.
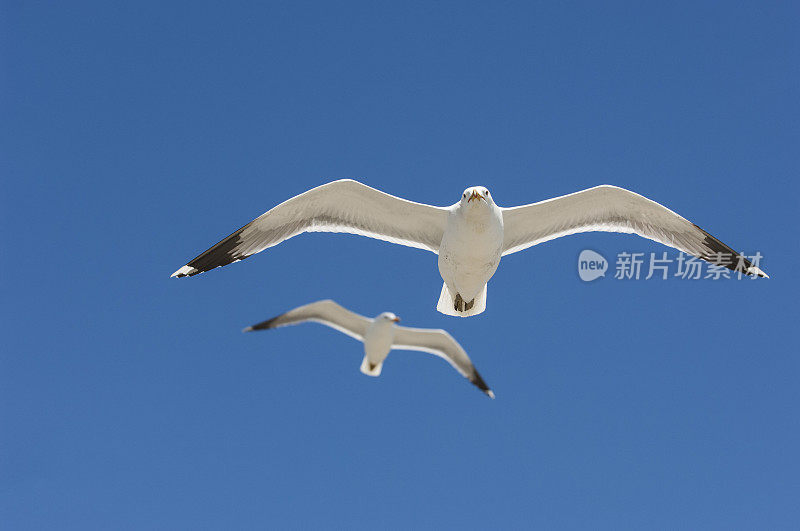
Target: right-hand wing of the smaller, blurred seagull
(442,344)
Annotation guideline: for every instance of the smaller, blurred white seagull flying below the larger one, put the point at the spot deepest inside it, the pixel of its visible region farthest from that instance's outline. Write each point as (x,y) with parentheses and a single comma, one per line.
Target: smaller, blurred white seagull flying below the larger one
(380,335)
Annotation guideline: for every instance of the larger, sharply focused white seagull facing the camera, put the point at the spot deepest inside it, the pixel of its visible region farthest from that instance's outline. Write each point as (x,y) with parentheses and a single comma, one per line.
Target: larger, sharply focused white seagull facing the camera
(470,236)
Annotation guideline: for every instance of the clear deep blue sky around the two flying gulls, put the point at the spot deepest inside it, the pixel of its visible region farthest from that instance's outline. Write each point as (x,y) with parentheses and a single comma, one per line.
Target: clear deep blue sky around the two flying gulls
(135,136)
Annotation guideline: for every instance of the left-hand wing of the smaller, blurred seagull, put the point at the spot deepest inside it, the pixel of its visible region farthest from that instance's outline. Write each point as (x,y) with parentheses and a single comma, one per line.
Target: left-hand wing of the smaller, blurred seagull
(324,312)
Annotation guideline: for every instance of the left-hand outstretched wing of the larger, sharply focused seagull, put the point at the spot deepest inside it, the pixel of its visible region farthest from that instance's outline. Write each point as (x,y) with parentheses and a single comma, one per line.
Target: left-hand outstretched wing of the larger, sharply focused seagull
(339,206)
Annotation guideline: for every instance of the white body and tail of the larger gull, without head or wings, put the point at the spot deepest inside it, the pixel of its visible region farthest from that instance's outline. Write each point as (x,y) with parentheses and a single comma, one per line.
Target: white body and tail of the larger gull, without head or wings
(469,254)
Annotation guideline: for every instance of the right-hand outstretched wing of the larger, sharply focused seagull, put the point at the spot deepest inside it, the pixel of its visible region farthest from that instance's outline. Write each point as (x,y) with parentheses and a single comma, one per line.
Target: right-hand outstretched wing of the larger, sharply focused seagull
(612,209)
